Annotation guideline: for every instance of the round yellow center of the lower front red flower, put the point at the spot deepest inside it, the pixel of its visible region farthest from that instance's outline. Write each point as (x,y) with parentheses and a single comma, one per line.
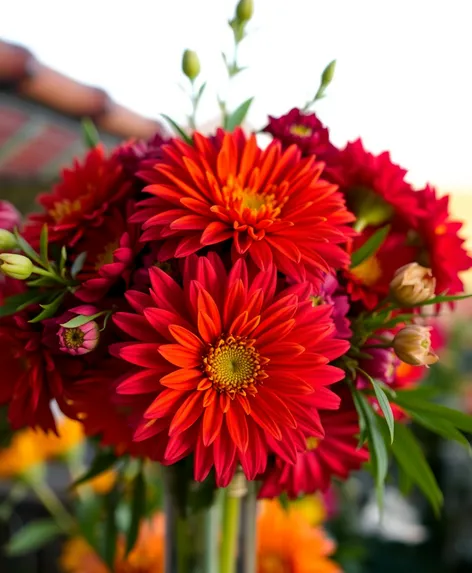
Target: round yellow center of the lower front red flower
(233,366)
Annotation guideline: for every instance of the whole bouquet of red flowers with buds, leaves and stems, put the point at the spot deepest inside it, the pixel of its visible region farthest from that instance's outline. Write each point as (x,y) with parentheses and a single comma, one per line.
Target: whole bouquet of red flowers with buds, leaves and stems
(254,319)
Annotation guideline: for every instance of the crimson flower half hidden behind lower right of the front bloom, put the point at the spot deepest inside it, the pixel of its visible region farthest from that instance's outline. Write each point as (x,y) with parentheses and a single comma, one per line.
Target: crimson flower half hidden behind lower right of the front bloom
(336,454)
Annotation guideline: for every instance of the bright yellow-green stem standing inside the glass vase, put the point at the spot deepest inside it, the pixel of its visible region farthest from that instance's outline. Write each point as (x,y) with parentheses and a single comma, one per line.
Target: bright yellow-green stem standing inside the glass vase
(230,526)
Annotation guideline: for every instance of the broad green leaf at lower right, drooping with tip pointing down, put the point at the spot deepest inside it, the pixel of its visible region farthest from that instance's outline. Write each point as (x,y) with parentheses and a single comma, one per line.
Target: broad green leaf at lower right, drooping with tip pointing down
(412,461)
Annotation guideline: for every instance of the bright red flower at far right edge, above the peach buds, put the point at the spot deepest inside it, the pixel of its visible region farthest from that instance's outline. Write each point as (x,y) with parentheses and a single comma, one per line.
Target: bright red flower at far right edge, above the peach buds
(442,248)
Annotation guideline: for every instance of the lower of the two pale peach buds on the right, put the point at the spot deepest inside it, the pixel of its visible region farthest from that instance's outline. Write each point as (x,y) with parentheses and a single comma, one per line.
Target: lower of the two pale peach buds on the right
(412,344)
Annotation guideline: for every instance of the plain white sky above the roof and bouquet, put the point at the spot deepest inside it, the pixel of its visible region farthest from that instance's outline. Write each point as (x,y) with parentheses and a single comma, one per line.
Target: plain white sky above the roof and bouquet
(403,80)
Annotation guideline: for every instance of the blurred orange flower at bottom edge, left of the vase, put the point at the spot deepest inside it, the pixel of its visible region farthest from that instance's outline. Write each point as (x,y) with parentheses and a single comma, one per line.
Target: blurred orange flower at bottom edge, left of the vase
(146,557)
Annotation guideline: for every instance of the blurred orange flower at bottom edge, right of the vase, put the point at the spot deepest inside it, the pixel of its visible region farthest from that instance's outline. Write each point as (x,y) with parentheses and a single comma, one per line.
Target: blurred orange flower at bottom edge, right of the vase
(287,543)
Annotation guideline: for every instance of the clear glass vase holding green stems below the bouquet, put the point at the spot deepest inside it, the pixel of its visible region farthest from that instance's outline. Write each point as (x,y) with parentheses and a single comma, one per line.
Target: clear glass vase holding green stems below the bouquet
(209,530)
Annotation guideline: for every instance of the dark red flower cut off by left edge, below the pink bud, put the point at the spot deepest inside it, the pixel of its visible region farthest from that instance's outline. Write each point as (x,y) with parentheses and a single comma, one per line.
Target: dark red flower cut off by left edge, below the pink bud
(30,379)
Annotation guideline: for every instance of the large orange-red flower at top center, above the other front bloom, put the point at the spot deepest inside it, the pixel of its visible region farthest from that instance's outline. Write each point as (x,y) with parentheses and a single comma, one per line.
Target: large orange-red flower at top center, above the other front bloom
(271,204)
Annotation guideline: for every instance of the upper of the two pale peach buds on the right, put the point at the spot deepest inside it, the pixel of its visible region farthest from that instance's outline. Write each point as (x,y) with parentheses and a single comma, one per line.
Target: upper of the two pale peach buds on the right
(412,284)
